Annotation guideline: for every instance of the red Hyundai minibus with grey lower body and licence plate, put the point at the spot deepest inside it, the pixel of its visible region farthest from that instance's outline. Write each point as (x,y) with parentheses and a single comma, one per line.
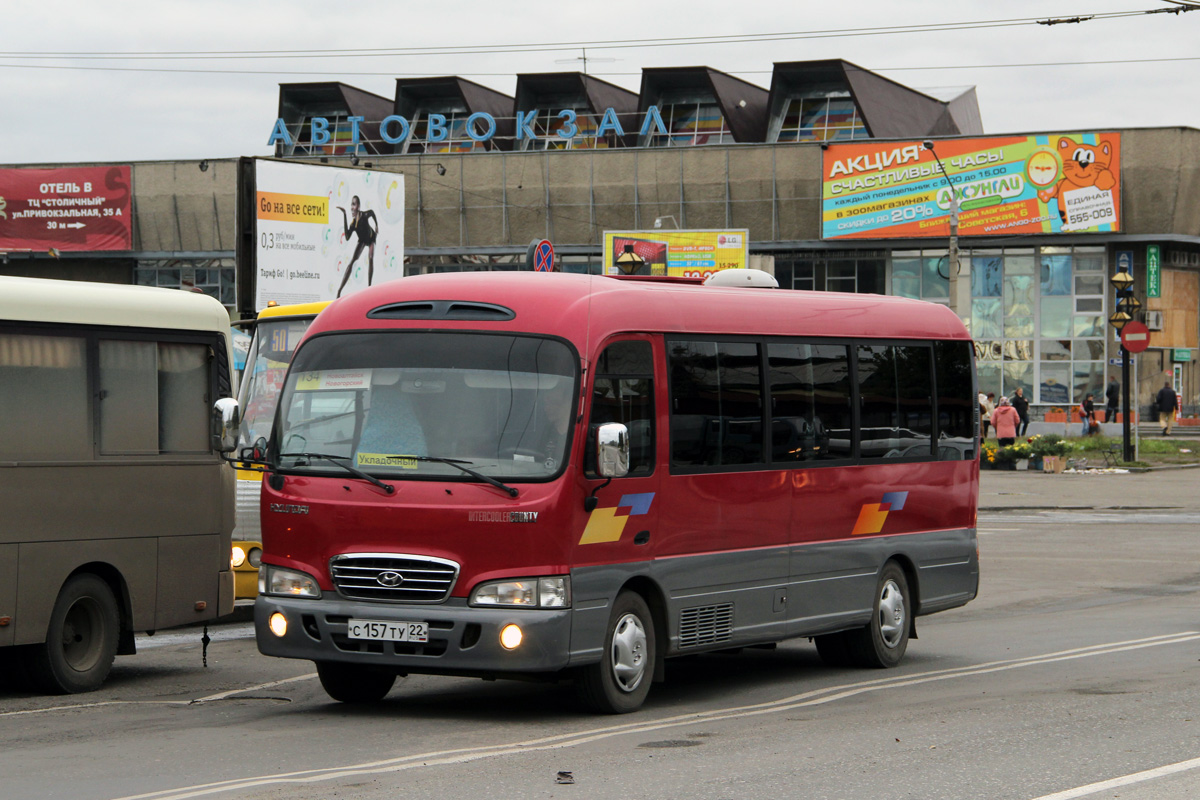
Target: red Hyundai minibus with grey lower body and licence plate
(572,477)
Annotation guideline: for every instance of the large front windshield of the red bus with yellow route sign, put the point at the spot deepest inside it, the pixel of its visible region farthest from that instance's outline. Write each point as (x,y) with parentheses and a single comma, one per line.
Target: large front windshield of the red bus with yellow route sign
(424,405)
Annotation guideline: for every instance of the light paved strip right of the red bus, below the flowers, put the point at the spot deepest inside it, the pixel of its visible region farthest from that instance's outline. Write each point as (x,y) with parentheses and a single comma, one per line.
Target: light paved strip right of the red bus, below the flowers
(1169,489)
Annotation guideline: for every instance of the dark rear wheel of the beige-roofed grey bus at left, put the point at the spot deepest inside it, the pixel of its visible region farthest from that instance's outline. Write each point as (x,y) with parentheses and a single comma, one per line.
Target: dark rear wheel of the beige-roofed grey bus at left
(81,640)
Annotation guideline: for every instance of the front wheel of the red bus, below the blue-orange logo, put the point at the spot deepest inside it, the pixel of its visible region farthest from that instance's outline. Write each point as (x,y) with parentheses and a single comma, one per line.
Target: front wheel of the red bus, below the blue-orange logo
(621,681)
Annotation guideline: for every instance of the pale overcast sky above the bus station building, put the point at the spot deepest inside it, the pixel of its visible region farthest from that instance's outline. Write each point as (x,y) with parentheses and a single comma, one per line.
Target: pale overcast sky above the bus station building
(1111,73)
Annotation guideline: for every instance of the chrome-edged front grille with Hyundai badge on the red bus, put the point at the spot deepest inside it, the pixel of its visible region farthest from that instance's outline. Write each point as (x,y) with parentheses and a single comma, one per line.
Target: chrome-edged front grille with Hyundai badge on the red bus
(393,579)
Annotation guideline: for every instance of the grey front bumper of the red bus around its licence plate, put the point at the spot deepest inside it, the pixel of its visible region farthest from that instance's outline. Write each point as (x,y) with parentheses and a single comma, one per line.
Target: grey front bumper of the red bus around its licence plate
(461,640)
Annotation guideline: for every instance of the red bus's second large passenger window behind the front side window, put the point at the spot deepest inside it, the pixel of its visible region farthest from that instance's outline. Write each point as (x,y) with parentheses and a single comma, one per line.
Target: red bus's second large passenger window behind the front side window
(811,402)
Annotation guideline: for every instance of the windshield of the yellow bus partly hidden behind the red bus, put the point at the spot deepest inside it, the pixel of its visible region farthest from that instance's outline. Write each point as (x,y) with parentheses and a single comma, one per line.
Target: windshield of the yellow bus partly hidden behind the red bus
(267,363)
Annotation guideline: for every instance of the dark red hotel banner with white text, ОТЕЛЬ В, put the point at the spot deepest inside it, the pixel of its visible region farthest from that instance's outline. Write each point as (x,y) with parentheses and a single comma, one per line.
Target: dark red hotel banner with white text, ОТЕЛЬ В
(69,209)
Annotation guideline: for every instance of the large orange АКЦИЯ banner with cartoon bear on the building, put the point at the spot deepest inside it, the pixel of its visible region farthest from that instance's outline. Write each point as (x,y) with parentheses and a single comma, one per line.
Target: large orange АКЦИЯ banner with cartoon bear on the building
(1051,183)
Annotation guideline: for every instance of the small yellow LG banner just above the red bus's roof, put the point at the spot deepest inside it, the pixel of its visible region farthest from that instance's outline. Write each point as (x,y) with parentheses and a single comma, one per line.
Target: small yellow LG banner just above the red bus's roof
(679,254)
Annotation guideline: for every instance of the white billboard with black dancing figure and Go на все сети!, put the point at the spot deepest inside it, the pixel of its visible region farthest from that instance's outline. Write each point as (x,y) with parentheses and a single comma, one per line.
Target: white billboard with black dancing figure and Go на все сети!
(325,232)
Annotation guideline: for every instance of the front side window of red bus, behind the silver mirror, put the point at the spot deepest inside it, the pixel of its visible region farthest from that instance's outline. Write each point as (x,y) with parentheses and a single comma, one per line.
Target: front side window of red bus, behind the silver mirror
(625,393)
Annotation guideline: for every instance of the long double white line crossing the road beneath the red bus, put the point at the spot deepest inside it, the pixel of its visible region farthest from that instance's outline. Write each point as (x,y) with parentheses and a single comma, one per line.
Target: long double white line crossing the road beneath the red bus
(814,697)
